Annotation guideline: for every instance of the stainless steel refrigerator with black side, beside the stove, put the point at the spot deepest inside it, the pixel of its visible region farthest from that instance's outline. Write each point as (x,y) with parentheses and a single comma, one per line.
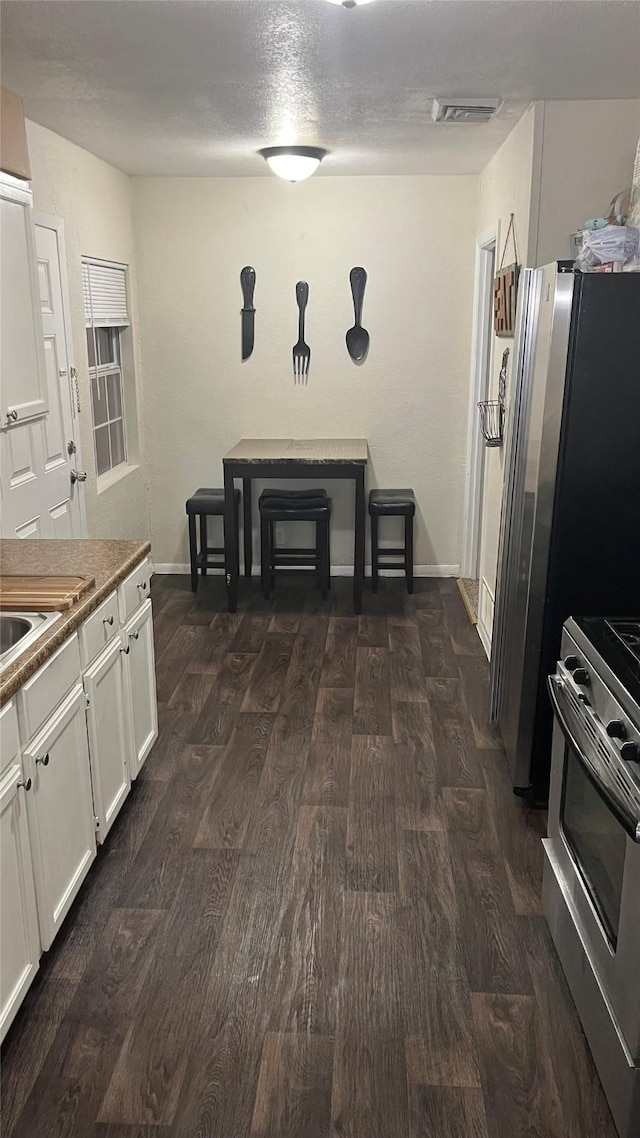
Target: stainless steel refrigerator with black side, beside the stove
(570,531)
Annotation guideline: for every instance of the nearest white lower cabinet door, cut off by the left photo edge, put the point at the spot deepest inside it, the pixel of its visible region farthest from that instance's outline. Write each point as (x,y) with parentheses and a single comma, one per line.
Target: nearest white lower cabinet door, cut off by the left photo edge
(20,941)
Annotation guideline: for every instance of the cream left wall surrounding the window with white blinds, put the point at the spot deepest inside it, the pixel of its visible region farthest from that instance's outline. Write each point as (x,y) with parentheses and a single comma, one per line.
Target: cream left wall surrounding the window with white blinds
(95,201)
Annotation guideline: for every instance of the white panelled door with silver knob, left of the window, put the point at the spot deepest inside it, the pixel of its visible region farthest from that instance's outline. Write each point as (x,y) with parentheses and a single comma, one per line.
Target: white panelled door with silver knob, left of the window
(61,427)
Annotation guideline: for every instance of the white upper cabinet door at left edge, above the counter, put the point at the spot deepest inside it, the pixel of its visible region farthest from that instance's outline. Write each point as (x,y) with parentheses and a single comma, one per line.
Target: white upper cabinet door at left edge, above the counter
(22,354)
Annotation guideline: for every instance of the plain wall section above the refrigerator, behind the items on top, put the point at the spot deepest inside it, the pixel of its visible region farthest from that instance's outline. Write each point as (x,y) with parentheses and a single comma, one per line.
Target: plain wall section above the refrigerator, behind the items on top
(588,151)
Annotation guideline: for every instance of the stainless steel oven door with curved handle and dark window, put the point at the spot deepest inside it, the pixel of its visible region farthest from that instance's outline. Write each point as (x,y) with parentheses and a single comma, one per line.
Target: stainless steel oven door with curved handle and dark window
(592,837)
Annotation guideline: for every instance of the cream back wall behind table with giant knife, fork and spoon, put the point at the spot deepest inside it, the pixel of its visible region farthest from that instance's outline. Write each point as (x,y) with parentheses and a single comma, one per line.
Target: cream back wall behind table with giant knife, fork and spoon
(415,237)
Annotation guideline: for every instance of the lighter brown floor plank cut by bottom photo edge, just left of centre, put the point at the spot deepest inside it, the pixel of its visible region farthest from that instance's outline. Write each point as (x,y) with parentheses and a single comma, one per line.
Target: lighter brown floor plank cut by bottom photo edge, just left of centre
(294,1090)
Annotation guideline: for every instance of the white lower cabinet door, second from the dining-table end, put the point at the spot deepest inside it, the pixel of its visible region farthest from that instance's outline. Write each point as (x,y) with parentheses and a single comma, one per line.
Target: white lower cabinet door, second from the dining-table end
(111,746)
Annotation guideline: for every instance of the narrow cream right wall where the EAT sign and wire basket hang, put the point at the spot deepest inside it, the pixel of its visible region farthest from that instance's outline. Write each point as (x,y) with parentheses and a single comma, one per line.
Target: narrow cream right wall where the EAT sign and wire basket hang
(505,188)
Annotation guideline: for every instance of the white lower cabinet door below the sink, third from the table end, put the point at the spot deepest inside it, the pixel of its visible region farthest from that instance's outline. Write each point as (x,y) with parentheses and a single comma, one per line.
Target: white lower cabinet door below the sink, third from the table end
(61,812)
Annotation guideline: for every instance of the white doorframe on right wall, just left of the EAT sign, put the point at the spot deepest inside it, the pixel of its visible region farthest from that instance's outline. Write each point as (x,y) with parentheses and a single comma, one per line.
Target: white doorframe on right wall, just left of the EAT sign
(487,245)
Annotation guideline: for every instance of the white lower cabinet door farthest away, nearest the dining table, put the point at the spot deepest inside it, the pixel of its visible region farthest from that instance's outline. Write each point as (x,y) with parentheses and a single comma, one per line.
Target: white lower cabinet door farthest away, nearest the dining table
(141,667)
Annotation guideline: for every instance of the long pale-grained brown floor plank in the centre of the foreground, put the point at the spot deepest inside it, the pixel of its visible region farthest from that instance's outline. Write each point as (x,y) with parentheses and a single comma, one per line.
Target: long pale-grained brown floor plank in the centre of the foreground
(306,982)
